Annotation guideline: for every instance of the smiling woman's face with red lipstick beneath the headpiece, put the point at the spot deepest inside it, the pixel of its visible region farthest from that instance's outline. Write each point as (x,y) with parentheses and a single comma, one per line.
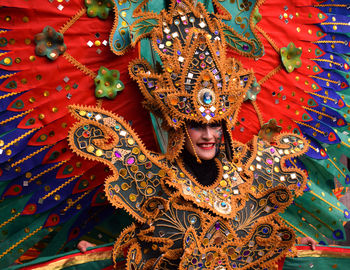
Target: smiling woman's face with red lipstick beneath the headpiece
(205,140)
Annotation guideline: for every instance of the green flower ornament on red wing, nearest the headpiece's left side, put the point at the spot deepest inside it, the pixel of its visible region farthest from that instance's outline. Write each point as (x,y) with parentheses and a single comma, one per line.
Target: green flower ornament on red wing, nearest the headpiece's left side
(107,83)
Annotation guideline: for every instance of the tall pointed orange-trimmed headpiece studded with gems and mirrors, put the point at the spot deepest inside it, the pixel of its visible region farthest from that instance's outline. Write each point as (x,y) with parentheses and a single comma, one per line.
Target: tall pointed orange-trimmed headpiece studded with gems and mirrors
(198,83)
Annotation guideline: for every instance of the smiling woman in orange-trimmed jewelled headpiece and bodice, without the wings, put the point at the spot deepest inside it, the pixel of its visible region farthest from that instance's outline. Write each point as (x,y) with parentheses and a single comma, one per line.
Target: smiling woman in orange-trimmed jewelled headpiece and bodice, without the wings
(202,203)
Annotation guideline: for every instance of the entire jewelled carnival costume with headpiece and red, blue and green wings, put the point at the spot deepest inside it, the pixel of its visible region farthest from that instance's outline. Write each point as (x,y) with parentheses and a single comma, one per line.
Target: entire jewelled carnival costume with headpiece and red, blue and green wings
(245,219)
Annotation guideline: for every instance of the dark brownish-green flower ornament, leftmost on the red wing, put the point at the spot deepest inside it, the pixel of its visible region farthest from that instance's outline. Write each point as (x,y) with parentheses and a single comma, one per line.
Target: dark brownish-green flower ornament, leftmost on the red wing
(49,43)
